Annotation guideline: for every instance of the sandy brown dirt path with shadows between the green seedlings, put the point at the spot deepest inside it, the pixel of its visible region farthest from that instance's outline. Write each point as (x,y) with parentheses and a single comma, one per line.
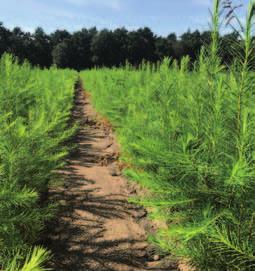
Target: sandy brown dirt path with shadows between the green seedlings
(97,228)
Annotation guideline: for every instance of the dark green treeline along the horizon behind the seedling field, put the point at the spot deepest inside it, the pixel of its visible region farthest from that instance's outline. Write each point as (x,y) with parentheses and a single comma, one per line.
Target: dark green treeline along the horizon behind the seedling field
(89,47)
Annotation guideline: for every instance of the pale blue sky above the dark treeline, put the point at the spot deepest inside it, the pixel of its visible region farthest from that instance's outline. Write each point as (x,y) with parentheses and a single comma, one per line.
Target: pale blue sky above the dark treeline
(162,16)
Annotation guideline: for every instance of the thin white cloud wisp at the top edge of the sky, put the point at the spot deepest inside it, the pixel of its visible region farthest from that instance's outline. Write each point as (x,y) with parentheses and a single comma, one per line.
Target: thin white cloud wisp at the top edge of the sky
(112,4)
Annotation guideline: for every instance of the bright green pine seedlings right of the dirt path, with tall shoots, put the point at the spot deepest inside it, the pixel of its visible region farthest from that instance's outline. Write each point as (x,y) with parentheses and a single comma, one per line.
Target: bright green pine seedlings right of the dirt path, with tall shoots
(188,136)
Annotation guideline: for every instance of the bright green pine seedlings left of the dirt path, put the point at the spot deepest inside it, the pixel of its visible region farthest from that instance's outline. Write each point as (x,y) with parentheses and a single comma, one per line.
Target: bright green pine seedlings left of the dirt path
(35,107)
